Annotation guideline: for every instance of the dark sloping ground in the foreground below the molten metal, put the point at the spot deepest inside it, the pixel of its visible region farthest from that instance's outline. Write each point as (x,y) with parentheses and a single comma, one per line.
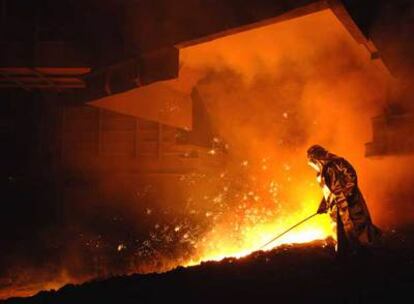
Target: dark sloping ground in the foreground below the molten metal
(290,274)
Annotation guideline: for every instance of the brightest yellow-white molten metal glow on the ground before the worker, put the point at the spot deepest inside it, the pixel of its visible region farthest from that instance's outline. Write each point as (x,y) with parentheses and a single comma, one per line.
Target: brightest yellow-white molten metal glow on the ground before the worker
(220,243)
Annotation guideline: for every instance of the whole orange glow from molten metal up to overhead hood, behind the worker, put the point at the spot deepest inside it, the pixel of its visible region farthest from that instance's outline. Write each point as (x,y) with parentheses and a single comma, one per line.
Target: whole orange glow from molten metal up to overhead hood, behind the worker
(270,92)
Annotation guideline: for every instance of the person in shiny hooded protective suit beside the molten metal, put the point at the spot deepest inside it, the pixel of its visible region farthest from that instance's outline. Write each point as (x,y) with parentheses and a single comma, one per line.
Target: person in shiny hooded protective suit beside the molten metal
(343,201)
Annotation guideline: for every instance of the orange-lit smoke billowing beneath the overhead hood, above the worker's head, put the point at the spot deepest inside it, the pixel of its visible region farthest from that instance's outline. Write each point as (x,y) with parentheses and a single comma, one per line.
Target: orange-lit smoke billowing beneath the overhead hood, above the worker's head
(273,91)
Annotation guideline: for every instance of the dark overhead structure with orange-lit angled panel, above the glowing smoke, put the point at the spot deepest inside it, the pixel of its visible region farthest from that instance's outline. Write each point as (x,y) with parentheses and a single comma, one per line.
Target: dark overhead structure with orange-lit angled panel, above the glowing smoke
(119,55)
